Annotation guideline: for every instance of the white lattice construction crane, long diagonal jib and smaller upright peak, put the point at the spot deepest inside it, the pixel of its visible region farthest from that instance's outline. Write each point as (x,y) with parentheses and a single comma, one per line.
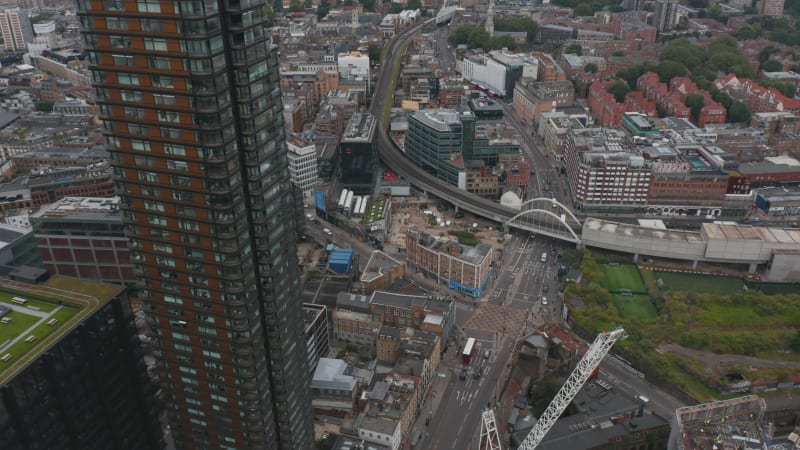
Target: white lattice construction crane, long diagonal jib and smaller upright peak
(490,439)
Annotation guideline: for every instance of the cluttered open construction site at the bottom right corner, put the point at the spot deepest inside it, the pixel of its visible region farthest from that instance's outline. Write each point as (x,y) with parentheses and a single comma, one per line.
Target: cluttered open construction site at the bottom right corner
(725,425)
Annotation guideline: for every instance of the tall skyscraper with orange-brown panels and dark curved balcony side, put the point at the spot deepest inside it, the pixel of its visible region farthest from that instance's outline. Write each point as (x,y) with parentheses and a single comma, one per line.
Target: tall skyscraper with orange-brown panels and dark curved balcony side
(189,96)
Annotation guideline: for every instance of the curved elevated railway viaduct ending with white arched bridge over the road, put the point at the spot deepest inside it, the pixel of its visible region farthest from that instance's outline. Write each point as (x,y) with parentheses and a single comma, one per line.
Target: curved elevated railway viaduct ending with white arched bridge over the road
(539,221)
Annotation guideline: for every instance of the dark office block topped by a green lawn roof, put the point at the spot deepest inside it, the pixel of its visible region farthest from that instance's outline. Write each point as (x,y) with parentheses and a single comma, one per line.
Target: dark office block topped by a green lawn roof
(72,374)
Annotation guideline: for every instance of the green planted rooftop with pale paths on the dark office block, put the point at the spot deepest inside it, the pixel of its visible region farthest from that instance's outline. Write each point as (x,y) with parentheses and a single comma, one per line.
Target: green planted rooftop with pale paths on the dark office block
(40,315)
